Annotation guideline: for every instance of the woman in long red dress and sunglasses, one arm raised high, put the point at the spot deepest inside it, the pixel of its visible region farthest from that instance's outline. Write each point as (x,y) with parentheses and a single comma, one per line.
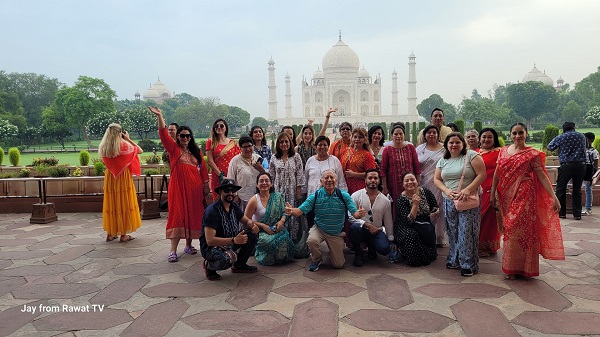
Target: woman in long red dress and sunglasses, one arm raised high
(188,186)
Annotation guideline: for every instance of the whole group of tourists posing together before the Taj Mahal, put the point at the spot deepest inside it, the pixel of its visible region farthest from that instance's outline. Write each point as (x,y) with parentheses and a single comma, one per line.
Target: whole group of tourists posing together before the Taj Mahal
(374,197)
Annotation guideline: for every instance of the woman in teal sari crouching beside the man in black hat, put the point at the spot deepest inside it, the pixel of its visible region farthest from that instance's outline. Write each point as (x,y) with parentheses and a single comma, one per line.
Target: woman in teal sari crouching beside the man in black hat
(266,209)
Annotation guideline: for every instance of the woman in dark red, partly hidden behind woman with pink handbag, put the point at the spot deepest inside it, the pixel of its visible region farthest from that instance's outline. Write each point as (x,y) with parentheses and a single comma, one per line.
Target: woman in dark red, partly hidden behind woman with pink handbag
(489,236)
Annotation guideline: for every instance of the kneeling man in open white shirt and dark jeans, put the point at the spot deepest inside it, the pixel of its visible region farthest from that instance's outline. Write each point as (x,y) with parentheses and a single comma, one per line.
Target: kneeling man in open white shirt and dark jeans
(378,215)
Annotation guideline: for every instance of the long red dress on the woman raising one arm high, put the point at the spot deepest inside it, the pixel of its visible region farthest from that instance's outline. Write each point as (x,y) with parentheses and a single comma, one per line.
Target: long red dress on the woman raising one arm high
(186,190)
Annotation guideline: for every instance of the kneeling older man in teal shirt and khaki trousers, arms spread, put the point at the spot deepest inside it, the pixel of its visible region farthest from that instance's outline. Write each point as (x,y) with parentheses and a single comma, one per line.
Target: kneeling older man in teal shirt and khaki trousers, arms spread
(331,206)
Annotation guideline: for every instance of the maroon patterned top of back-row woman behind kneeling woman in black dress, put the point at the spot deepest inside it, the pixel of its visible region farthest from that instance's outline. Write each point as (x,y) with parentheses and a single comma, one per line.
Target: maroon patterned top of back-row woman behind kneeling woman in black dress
(395,162)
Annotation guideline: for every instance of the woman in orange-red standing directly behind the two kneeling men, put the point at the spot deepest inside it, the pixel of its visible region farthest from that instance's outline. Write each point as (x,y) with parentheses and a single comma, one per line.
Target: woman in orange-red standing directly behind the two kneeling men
(357,160)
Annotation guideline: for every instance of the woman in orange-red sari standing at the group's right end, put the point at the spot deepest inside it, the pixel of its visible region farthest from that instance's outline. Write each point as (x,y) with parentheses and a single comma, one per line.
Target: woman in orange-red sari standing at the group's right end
(522,191)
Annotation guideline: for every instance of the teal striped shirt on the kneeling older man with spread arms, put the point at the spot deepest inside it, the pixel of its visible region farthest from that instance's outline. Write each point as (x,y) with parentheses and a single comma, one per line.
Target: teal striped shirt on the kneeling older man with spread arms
(330,212)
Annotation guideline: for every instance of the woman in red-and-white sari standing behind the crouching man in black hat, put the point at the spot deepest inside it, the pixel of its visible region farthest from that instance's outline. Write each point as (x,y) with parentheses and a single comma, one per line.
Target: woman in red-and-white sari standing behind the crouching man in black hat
(219,152)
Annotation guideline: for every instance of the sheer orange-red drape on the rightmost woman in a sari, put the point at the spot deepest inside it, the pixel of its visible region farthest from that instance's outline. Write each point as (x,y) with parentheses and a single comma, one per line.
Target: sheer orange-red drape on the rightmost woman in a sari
(511,171)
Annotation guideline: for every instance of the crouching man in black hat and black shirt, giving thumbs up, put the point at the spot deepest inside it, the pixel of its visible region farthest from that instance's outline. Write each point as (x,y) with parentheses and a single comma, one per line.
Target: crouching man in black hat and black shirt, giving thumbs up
(223,243)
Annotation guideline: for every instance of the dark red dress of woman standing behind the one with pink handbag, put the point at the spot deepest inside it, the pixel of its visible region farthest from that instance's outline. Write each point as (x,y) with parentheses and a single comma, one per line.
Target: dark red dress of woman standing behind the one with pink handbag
(489,236)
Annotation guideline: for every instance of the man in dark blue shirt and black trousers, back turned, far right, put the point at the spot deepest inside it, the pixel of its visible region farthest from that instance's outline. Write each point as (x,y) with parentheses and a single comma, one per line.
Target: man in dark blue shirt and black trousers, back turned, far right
(571,147)
